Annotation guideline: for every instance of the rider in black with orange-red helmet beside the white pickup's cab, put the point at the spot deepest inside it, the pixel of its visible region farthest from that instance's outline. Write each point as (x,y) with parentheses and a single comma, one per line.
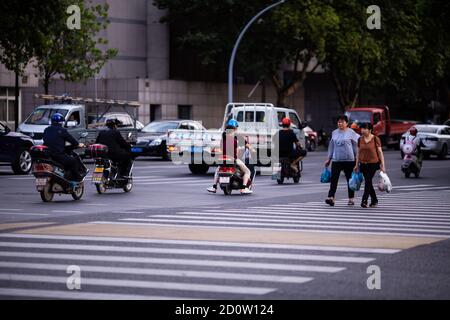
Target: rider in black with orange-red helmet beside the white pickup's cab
(284,142)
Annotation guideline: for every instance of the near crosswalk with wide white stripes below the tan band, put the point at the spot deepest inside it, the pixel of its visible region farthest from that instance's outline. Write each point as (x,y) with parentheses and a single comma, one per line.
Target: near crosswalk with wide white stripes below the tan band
(35,266)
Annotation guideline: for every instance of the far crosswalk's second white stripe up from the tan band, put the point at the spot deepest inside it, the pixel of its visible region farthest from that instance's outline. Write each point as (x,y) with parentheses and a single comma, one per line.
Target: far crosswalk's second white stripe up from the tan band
(333,222)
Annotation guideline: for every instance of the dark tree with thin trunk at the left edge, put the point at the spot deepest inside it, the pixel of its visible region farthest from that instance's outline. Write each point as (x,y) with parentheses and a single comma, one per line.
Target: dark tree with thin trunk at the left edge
(21,28)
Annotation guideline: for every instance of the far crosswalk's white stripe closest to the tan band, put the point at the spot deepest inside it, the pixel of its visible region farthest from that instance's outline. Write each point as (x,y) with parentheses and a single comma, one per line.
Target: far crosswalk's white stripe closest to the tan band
(212,223)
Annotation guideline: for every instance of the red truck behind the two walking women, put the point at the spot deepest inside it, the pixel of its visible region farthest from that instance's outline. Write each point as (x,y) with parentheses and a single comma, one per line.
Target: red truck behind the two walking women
(389,131)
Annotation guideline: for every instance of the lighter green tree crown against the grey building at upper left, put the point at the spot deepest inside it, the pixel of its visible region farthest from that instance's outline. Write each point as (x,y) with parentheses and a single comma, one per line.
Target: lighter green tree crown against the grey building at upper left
(74,54)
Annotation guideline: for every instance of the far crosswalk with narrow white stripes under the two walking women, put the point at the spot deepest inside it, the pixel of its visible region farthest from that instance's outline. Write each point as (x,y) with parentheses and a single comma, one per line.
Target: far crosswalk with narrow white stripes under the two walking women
(423,213)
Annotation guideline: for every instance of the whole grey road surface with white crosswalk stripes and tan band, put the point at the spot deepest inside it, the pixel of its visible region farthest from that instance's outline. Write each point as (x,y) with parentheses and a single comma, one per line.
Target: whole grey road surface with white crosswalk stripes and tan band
(170,239)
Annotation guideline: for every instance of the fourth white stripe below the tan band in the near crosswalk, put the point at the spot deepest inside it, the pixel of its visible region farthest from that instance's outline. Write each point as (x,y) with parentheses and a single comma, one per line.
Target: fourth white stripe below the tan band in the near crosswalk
(162,272)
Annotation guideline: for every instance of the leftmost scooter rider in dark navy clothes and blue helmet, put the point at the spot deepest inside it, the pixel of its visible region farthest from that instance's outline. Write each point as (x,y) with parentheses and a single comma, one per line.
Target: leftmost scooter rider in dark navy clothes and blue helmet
(55,138)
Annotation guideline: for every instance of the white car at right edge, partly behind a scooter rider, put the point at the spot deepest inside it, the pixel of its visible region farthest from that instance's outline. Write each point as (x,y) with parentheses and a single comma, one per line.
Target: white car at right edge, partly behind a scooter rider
(436,139)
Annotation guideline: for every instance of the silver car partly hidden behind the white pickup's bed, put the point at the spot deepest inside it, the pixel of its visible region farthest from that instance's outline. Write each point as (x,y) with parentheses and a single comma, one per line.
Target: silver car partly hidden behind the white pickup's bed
(152,140)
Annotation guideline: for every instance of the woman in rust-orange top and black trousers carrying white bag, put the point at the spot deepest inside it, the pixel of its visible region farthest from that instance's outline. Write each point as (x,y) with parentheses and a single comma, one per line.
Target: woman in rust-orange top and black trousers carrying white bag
(370,159)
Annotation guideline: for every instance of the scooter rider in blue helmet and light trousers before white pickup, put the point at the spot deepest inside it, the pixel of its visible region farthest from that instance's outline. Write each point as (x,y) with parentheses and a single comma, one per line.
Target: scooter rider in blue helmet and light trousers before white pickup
(229,136)
